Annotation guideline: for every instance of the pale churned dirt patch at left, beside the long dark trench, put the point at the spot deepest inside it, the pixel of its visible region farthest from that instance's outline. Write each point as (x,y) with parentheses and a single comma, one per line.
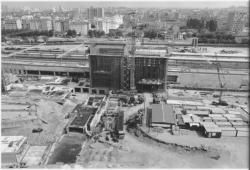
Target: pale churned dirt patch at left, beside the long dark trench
(50,115)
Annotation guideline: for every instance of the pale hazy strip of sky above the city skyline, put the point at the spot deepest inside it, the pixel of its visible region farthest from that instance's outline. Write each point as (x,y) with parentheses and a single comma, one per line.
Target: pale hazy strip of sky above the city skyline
(143,4)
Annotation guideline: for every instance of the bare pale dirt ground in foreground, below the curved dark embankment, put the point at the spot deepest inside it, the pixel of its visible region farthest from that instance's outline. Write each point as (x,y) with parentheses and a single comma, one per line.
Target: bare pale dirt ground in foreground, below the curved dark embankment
(144,153)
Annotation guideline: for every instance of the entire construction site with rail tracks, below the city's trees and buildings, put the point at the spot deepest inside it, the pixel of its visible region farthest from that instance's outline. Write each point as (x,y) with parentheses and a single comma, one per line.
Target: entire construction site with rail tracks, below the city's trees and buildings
(118,104)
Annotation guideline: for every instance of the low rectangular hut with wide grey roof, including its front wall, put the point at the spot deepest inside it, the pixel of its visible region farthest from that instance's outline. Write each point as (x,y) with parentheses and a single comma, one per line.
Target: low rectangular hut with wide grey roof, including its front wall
(161,115)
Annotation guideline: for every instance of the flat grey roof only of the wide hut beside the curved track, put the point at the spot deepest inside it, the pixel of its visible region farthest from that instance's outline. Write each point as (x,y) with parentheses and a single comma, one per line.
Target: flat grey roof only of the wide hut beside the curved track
(163,113)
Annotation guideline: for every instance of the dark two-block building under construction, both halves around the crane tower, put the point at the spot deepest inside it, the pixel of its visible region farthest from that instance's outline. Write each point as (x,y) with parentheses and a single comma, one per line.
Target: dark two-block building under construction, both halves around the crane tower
(112,67)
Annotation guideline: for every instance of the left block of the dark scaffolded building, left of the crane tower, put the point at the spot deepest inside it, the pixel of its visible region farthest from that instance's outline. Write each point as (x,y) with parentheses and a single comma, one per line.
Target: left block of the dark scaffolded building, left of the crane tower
(106,60)
